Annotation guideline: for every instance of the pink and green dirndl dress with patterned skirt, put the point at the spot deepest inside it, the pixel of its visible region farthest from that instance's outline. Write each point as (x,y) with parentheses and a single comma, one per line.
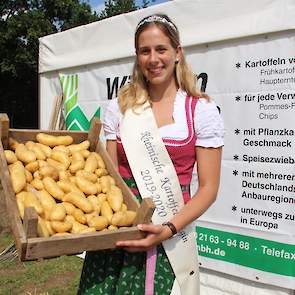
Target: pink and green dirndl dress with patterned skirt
(118,272)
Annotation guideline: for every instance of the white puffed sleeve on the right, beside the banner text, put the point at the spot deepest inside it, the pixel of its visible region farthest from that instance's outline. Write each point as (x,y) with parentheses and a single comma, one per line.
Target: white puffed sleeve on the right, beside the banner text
(208,124)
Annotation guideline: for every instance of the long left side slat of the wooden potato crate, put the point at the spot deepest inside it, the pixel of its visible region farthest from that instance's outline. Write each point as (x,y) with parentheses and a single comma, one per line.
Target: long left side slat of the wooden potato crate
(12,209)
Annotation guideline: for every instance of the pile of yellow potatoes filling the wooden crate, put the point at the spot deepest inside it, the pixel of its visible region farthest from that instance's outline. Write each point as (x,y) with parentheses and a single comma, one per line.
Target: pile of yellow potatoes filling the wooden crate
(68,186)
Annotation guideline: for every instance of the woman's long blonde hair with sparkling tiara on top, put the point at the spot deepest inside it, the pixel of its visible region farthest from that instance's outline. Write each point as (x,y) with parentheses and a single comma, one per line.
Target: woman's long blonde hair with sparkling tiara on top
(135,93)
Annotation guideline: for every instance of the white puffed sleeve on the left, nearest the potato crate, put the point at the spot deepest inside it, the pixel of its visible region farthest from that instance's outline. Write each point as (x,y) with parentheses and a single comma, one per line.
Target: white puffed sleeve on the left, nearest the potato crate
(111,119)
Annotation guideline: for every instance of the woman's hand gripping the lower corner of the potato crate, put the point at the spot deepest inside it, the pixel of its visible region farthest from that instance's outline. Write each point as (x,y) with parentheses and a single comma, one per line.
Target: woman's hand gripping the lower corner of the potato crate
(156,234)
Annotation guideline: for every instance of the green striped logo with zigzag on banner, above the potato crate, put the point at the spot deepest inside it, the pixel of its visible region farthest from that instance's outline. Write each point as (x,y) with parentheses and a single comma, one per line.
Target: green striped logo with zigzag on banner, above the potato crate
(75,118)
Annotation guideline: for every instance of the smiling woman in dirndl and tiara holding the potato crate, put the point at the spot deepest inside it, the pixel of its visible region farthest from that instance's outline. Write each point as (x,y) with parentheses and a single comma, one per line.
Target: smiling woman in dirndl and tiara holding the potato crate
(192,131)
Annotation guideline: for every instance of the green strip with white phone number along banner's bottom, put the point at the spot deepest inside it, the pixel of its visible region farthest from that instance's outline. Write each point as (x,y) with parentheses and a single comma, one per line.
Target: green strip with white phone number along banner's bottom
(265,255)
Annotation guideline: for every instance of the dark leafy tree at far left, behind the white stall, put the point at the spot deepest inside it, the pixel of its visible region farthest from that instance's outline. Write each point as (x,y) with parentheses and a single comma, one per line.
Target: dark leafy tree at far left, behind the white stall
(22,22)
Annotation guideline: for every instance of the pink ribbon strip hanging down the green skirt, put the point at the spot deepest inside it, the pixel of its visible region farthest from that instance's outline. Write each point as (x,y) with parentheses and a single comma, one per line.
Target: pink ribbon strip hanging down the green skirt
(151,258)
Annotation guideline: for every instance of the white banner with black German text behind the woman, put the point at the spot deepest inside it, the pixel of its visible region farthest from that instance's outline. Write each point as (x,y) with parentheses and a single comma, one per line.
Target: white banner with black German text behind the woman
(249,230)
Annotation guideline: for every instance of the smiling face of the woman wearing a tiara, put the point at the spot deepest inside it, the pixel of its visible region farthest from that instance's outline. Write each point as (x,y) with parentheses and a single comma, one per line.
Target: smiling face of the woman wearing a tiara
(156,56)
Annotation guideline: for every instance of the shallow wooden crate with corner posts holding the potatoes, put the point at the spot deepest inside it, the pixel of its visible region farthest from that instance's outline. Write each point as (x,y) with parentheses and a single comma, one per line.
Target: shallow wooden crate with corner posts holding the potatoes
(31,247)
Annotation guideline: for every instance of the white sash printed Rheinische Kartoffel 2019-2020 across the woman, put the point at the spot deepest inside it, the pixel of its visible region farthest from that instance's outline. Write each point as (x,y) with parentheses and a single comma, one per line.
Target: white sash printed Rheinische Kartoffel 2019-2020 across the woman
(156,177)
